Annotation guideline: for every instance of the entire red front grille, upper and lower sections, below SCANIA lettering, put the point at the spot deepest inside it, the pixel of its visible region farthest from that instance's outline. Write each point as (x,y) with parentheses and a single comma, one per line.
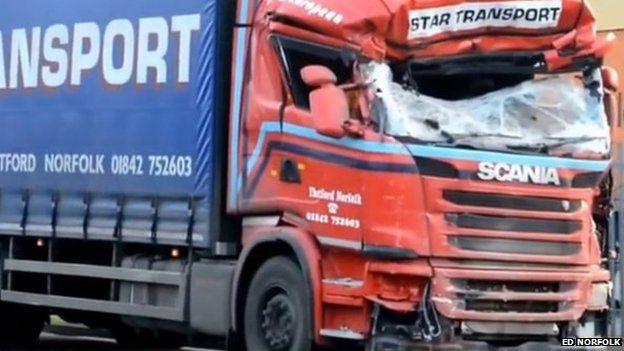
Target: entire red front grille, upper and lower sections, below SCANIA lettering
(501,223)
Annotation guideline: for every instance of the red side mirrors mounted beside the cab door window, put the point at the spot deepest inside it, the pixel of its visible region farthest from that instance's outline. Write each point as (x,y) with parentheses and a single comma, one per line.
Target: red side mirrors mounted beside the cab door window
(328,103)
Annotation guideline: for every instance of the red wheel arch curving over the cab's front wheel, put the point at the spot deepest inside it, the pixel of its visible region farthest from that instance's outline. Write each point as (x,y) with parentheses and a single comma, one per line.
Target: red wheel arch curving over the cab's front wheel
(271,242)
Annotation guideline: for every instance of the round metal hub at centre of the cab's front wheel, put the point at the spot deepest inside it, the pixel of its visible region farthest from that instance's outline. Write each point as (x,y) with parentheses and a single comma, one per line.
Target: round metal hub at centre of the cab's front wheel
(277,322)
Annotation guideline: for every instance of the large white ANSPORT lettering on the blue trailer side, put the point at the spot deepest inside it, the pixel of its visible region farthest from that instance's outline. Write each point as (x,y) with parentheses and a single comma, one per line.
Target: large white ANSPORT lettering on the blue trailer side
(124,51)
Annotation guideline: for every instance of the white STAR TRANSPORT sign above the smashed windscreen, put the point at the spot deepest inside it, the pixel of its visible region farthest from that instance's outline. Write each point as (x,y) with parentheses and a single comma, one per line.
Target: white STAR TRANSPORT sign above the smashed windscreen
(537,14)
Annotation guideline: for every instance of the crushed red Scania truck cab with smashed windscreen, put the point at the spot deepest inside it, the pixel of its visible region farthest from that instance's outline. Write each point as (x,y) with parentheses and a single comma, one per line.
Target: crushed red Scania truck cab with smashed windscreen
(434,167)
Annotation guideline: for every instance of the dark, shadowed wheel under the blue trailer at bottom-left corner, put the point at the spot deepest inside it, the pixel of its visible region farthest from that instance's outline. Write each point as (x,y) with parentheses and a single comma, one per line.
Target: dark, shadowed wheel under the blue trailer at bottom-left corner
(21,325)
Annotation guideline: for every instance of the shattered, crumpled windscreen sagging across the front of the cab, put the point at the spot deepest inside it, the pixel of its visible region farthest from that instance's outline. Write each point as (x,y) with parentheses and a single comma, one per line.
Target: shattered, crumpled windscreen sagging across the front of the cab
(554,114)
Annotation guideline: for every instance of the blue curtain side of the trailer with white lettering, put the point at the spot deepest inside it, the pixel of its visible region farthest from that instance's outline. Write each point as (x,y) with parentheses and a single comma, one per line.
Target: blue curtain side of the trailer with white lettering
(111,119)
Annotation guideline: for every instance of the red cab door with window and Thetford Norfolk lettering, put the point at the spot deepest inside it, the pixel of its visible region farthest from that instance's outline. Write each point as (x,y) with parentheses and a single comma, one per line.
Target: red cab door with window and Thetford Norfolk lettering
(321,183)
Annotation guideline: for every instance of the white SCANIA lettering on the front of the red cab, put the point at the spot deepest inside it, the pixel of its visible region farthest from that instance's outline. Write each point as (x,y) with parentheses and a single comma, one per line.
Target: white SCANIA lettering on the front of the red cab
(504,172)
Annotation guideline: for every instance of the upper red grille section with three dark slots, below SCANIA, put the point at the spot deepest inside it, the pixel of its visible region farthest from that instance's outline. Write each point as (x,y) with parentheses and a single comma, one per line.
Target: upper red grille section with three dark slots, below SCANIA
(511,227)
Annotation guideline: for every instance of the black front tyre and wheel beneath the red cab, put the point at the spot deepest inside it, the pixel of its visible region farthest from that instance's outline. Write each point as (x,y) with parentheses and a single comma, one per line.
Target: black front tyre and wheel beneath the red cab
(277,309)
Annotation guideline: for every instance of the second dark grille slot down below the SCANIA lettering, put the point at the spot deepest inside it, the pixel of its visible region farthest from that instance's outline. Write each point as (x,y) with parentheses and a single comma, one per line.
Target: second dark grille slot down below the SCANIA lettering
(514,224)
